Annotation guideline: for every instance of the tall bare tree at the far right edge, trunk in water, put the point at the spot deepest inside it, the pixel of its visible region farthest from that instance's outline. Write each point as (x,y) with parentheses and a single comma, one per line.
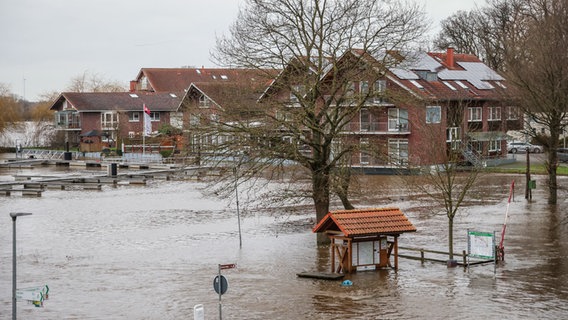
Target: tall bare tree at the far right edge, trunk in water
(537,67)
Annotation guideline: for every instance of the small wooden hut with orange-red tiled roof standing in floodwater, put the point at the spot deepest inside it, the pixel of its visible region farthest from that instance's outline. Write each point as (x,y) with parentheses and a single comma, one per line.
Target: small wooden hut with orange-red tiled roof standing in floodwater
(364,239)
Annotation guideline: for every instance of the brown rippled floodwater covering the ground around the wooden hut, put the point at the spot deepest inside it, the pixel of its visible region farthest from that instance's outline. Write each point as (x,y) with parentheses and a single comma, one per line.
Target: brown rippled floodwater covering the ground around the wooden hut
(152,252)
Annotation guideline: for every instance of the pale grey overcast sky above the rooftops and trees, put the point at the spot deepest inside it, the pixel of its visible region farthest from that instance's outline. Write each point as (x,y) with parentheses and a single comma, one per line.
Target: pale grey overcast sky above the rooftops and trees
(44,44)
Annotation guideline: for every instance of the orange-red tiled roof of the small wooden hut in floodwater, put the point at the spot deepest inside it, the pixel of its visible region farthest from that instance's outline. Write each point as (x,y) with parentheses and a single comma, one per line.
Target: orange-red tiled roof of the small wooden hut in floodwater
(360,222)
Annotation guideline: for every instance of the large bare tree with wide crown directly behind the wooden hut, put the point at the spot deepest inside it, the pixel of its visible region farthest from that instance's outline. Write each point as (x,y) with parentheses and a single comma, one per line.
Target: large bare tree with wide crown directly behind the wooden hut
(311,41)
